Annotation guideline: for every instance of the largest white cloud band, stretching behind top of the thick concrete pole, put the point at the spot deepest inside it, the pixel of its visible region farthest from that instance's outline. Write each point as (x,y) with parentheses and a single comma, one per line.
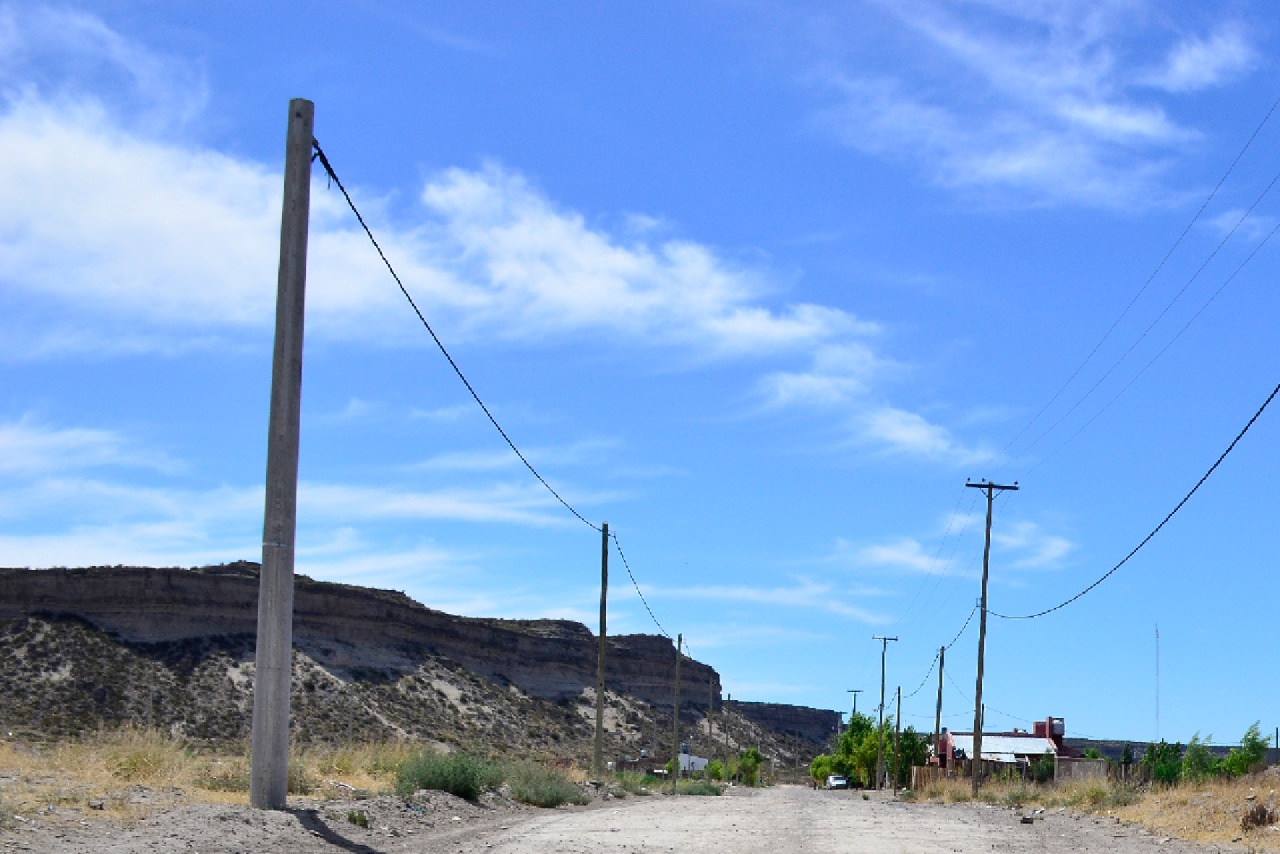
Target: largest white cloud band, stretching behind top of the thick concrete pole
(102,220)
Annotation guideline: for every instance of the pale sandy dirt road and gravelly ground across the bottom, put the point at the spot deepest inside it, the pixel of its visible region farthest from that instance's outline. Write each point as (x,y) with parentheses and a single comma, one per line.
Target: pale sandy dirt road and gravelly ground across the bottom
(787,820)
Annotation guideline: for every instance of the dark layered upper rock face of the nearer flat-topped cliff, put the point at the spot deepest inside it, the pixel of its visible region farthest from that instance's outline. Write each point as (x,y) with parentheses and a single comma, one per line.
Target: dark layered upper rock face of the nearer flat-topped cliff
(356,632)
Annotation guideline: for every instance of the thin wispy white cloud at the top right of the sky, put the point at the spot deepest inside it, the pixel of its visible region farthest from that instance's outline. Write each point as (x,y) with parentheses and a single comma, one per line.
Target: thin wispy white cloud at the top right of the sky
(1045,103)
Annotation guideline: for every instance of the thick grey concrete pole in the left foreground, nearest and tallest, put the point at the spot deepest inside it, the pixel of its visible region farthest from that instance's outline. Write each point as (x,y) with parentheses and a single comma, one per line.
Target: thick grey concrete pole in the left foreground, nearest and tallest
(269,769)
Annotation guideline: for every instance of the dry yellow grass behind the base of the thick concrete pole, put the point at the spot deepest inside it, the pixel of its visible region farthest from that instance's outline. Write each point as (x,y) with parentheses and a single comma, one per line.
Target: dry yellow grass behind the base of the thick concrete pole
(131,773)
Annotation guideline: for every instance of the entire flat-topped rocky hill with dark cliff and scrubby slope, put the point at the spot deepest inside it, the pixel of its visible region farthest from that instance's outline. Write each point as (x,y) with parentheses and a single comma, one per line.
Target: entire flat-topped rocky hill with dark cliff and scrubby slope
(175,649)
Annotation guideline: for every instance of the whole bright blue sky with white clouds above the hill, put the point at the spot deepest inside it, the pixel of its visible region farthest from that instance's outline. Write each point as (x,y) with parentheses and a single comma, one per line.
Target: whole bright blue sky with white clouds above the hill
(761,285)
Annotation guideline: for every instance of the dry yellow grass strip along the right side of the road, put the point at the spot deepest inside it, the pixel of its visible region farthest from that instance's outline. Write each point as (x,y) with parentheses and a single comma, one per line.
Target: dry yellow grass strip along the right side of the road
(1210,812)
